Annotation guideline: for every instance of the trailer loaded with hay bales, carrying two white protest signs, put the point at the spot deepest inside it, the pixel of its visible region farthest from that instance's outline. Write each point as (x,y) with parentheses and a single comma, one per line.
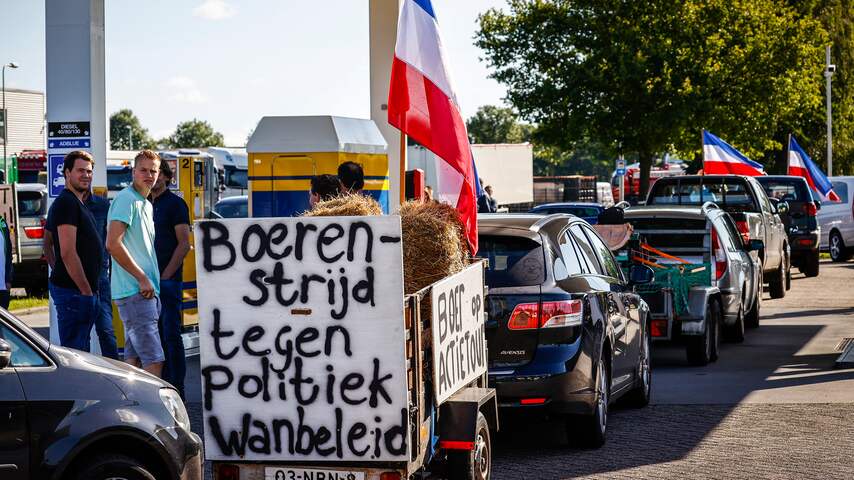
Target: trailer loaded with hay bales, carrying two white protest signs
(338,347)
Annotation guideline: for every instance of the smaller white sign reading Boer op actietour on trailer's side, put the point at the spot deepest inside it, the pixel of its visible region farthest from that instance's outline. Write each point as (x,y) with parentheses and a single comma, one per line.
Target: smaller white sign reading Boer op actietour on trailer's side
(459,344)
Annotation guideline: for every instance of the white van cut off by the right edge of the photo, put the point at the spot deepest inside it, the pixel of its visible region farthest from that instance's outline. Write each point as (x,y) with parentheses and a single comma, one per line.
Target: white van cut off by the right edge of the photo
(836,221)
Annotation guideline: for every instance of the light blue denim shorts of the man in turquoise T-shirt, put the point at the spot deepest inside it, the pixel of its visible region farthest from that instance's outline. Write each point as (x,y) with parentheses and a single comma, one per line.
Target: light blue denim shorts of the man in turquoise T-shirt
(142,337)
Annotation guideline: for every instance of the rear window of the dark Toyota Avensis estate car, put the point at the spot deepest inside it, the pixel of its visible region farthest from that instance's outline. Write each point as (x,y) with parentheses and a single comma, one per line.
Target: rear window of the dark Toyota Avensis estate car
(513,261)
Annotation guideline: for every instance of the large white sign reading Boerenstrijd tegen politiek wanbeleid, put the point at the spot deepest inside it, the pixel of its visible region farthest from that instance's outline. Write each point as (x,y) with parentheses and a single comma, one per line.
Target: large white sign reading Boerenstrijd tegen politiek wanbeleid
(302,338)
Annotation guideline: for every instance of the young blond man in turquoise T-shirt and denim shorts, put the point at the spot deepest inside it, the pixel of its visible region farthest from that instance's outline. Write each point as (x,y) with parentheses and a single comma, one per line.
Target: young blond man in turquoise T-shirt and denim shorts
(135,280)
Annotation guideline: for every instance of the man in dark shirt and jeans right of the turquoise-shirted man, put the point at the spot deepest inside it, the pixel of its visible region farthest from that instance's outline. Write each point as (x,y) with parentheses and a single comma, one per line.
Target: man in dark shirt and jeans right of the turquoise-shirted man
(171,244)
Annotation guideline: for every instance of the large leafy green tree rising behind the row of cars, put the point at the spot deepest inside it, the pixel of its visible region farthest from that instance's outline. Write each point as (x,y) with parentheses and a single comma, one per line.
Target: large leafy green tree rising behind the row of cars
(645,77)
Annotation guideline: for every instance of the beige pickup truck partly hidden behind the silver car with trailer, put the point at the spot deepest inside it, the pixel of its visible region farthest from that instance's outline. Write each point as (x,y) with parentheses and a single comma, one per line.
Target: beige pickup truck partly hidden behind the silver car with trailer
(756,217)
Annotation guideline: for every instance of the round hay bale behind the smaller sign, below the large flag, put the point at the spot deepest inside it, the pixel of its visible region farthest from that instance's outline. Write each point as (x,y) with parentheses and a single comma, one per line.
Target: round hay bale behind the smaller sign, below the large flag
(434,244)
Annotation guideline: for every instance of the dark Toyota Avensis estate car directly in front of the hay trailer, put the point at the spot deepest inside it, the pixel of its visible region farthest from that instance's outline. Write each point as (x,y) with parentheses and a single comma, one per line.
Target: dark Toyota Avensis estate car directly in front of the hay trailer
(565,332)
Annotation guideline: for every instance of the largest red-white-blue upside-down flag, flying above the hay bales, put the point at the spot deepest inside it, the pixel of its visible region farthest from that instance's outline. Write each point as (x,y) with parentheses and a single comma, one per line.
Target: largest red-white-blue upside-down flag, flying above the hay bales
(422,104)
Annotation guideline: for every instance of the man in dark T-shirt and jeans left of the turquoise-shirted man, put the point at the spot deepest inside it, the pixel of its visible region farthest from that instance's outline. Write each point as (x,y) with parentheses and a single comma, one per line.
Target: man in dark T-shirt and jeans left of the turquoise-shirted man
(78,250)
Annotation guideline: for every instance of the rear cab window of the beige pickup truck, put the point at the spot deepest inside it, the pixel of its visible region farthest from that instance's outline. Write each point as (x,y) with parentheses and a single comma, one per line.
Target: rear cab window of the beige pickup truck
(729,193)
